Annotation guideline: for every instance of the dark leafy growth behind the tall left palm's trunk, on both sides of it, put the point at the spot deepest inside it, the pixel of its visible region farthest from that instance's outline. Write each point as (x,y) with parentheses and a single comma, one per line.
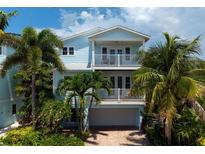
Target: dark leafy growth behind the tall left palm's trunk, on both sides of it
(44,89)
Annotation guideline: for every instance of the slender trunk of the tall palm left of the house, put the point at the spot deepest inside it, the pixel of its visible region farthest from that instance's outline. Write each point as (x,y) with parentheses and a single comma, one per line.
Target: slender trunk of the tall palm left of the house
(33,101)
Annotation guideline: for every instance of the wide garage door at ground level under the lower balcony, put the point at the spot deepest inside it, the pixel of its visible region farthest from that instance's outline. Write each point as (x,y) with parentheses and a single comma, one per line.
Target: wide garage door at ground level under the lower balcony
(112,117)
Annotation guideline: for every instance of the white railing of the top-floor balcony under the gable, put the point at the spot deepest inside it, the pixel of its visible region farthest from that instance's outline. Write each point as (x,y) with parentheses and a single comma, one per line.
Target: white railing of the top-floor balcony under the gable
(115,60)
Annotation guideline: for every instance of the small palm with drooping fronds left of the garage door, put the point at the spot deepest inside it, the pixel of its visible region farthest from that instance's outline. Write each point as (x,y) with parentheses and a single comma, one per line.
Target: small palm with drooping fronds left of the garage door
(79,86)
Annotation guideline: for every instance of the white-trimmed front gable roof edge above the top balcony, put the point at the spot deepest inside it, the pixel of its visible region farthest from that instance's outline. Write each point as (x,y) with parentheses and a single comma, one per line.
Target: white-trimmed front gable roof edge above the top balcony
(147,37)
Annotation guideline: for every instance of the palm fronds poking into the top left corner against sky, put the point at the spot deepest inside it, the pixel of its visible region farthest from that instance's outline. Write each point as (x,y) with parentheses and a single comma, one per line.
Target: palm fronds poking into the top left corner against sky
(4,18)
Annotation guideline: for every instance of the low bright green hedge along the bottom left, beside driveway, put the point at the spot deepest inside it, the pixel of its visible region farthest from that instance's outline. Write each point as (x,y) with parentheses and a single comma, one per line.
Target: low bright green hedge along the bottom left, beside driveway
(26,137)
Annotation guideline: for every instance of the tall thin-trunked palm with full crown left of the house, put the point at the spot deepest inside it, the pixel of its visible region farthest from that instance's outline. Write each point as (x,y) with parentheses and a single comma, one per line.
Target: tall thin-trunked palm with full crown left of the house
(31,50)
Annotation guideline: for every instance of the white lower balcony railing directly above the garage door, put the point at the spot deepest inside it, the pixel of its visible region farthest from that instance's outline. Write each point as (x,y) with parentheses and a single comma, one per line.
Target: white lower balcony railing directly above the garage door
(118,94)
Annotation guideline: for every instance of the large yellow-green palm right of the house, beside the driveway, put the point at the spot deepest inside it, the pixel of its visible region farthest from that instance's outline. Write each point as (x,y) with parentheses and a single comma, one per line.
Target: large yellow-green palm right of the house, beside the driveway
(169,77)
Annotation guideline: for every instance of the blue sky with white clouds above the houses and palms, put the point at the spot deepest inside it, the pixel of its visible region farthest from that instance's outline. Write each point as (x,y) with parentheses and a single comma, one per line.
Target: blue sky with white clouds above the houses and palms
(187,23)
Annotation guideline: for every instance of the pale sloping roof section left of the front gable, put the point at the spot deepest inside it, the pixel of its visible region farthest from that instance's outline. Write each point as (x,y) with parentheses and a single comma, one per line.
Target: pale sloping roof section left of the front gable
(88,32)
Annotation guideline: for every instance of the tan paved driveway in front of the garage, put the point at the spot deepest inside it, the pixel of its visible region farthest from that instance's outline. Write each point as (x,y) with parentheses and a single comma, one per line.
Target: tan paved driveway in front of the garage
(116,137)
